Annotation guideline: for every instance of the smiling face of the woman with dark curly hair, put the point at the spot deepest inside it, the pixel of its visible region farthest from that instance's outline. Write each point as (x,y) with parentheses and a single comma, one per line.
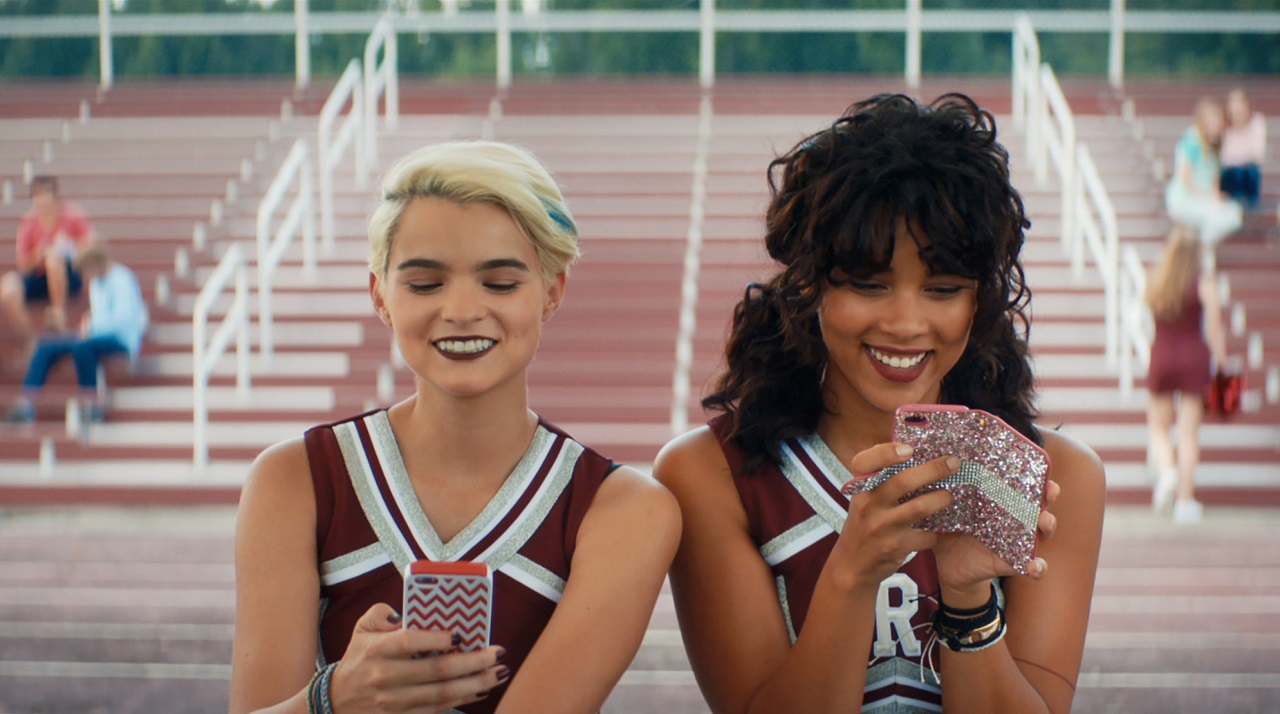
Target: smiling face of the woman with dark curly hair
(894,336)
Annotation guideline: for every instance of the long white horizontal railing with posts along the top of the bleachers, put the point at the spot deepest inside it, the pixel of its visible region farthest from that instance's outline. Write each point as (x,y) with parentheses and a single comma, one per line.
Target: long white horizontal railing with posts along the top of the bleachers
(1116,22)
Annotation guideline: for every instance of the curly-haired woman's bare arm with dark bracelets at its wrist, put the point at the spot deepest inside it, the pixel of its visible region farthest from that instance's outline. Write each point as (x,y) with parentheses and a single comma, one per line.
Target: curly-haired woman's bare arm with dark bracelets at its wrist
(1036,666)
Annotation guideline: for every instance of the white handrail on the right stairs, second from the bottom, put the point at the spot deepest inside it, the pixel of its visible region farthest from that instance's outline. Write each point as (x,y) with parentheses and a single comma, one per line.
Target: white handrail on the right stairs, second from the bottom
(1095,225)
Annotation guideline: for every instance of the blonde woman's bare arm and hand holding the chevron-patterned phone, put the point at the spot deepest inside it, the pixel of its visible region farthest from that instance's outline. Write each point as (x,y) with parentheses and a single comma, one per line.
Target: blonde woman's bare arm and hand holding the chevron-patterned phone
(278,608)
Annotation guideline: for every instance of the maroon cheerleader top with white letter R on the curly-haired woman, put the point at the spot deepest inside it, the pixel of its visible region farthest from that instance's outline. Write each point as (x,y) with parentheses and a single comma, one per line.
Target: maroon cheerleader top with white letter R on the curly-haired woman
(796,512)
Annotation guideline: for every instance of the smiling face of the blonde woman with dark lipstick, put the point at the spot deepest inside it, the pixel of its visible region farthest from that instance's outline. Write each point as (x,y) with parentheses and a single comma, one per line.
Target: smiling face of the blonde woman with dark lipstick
(465,297)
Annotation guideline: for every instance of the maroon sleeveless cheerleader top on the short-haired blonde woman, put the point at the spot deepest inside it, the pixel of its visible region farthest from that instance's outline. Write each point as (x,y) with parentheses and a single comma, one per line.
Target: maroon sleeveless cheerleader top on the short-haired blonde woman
(371,525)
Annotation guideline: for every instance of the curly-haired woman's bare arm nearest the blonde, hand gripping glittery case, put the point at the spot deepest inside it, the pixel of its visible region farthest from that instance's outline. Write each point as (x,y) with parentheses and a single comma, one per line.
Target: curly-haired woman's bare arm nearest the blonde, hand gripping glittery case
(728,602)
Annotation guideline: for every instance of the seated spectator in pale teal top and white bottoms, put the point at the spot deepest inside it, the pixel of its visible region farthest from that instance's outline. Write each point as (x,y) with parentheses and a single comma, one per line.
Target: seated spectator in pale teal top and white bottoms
(1194,196)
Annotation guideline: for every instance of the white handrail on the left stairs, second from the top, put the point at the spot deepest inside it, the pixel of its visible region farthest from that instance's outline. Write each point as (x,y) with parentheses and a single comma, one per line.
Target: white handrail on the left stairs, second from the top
(331,148)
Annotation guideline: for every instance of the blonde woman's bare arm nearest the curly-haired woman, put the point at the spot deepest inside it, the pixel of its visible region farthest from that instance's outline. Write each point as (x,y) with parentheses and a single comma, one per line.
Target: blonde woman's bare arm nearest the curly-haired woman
(624,547)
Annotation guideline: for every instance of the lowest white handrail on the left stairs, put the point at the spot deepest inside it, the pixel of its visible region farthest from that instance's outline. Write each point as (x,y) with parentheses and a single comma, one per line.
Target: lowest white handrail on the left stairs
(207,351)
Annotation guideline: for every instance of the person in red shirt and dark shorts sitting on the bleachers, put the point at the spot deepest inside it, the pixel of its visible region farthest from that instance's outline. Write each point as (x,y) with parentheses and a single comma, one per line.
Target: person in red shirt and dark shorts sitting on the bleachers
(49,236)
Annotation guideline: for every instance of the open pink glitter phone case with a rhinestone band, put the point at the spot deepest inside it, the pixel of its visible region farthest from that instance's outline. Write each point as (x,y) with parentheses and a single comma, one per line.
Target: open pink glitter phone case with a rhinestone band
(999,492)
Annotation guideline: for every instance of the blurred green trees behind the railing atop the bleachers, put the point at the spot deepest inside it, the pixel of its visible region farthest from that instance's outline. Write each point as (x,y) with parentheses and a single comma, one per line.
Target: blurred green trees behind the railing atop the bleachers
(633,53)
